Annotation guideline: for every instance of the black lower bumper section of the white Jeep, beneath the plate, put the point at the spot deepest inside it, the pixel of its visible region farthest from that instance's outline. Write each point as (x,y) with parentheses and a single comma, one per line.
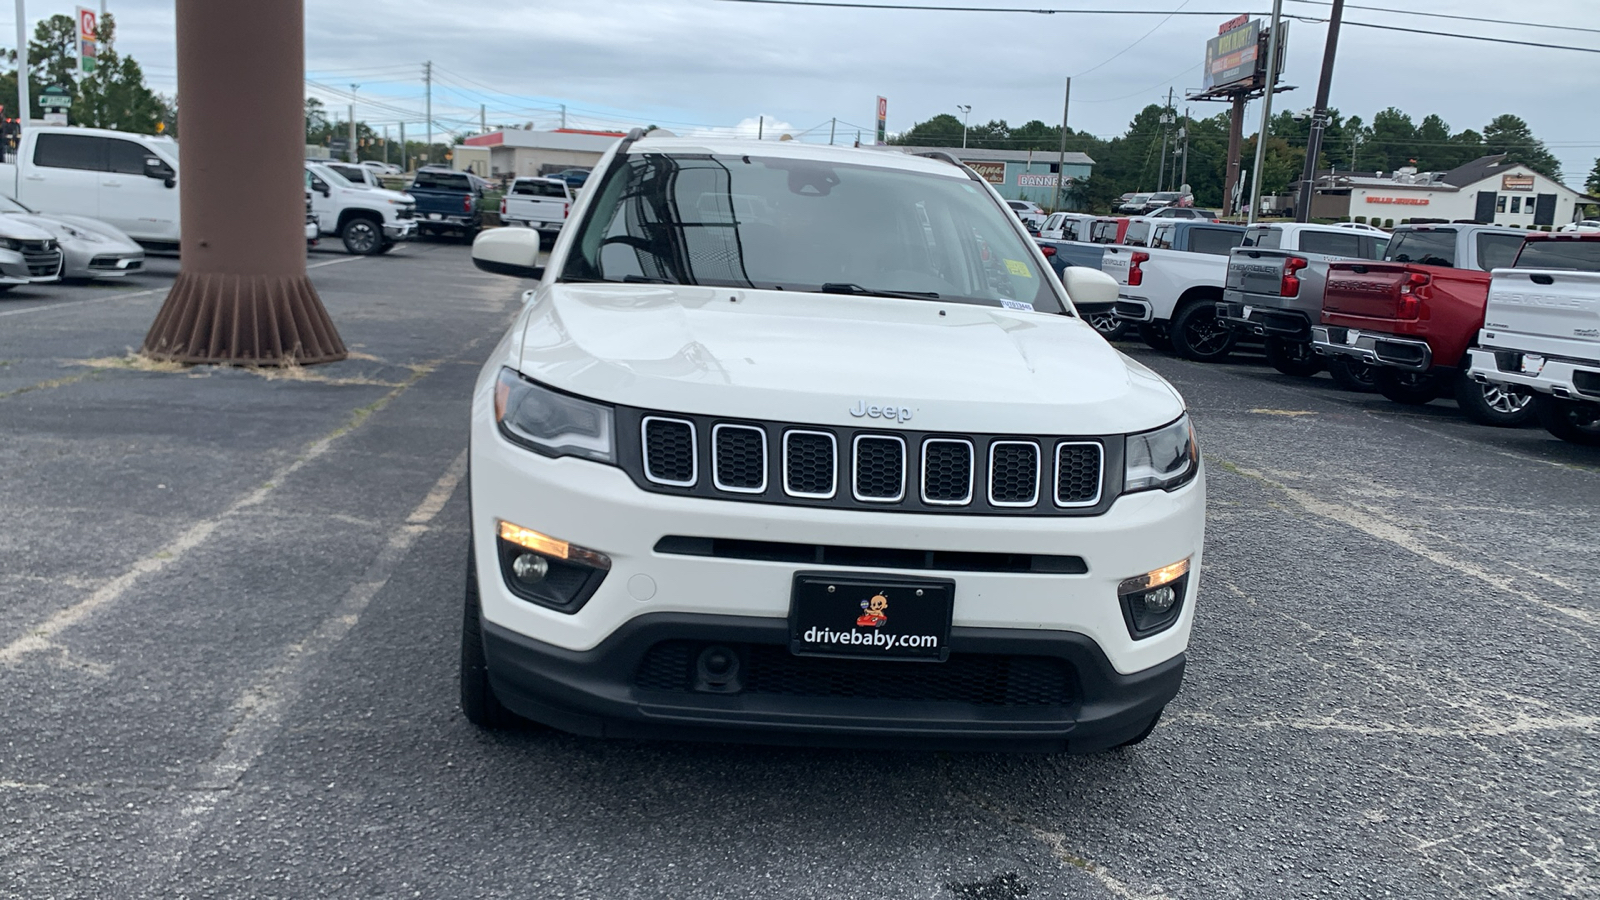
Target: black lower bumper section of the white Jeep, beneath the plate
(638,685)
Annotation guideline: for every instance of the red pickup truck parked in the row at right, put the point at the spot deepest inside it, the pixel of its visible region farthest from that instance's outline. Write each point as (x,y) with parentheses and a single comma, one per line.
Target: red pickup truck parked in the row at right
(1415,315)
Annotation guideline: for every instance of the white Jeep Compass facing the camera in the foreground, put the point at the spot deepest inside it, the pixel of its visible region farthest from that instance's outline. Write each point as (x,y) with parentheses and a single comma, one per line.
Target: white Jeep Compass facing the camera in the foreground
(807,444)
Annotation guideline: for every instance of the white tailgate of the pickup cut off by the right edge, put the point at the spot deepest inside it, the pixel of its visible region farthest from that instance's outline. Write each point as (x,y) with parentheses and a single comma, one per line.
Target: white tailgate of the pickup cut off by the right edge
(1550,303)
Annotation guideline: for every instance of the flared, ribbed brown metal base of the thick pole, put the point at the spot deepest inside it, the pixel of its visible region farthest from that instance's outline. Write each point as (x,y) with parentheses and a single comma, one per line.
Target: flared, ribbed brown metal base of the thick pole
(244,321)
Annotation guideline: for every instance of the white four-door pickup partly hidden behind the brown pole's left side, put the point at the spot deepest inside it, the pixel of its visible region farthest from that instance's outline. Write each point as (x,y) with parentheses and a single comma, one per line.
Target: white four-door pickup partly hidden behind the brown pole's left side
(129,182)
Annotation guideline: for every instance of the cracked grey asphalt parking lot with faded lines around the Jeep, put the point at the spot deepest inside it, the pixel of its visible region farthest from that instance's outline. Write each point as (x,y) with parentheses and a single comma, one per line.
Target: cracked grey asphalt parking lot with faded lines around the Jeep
(231,603)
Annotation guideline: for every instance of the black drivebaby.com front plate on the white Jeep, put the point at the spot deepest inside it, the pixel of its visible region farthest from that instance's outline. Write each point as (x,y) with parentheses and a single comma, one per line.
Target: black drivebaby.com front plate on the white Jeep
(862,616)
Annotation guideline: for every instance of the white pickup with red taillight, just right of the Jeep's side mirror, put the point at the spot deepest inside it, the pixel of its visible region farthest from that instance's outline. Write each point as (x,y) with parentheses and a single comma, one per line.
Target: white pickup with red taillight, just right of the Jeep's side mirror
(1172,276)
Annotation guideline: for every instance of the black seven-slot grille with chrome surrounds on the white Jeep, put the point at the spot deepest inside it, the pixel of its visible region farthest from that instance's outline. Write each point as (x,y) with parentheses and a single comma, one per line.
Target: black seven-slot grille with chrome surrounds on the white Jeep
(860,468)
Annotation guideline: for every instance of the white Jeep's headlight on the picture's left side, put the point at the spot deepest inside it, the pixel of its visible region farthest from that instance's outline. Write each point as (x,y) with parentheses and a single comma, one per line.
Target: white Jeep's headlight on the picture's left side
(553,424)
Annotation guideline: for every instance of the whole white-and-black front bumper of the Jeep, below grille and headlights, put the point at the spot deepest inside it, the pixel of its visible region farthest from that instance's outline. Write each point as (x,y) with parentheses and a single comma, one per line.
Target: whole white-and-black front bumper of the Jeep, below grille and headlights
(578,670)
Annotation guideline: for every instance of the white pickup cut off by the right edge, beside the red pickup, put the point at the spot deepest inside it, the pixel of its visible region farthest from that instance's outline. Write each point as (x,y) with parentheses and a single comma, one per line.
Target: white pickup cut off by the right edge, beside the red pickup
(1542,331)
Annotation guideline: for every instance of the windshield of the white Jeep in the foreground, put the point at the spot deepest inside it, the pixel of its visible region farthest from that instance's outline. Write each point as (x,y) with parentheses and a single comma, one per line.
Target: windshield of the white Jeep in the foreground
(807,227)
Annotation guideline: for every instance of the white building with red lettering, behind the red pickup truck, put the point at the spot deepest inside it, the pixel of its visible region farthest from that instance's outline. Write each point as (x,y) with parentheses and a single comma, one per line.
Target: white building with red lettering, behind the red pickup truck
(1487,191)
